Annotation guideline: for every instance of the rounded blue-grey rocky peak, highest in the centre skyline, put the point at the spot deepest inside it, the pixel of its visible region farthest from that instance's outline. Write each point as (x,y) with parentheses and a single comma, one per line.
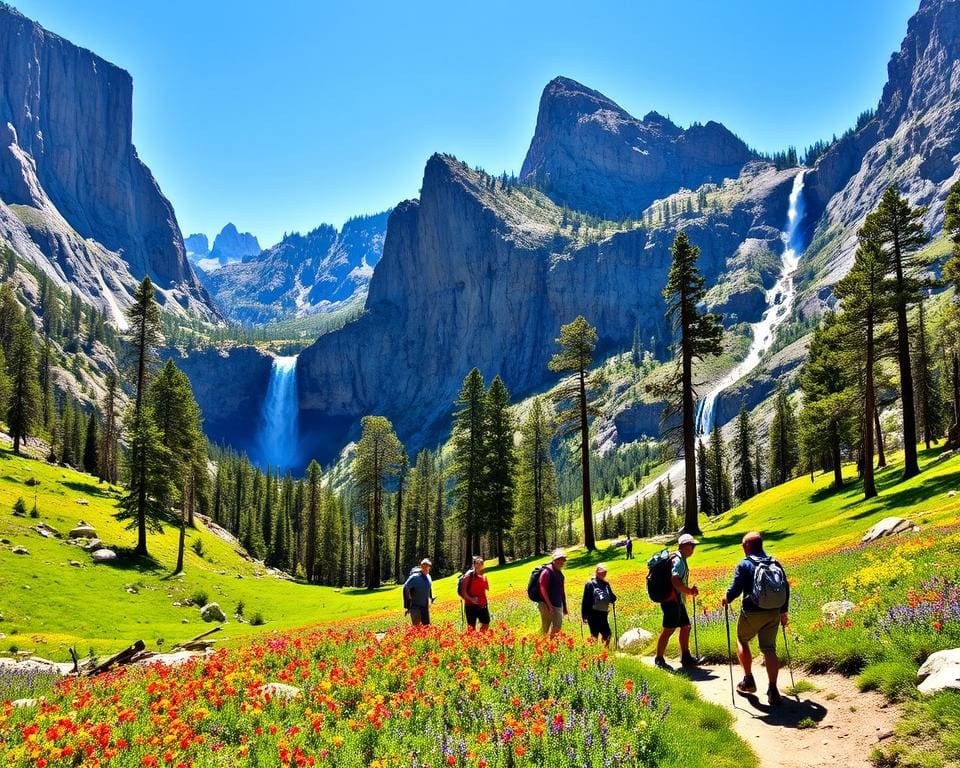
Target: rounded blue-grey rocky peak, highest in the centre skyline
(588,153)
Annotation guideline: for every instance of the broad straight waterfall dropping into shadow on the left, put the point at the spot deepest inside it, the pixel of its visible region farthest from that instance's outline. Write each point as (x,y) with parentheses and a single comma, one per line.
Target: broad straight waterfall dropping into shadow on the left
(278,439)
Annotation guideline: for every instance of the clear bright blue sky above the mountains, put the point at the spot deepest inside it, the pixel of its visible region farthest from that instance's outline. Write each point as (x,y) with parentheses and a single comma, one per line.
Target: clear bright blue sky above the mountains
(281,115)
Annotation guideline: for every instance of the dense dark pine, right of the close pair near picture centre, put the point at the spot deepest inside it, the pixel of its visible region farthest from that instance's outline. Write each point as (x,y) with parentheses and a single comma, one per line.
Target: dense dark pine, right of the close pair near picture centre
(499,464)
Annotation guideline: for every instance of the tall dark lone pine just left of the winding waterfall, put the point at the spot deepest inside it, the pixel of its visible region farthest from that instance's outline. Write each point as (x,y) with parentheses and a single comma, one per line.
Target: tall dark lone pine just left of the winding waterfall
(699,334)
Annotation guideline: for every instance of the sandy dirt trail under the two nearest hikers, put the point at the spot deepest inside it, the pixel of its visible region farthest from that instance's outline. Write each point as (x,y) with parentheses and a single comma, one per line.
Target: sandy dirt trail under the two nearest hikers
(848,723)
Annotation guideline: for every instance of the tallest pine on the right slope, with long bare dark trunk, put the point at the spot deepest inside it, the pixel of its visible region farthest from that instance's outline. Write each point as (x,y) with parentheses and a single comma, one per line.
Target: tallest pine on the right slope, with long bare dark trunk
(898,228)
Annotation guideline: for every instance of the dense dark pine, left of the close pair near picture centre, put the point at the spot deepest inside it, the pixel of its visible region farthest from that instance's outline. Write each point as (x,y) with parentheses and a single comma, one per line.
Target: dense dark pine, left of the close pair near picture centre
(468,460)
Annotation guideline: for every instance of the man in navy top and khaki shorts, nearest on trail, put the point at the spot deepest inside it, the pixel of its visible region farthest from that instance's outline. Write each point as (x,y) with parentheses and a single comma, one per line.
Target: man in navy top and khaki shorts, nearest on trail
(755,619)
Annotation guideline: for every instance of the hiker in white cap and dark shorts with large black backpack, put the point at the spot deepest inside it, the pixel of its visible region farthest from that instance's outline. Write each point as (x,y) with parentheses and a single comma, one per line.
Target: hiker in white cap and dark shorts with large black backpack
(668,584)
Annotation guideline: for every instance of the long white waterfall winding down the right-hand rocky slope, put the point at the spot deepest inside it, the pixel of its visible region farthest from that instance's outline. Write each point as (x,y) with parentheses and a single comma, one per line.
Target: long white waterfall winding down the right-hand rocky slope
(779,305)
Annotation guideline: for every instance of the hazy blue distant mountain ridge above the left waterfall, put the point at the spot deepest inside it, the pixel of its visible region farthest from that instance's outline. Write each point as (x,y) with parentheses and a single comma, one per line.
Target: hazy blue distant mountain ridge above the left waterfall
(302,274)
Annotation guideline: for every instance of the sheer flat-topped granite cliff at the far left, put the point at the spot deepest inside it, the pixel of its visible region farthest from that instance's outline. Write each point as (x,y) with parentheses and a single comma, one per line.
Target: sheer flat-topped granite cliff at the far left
(75,199)
